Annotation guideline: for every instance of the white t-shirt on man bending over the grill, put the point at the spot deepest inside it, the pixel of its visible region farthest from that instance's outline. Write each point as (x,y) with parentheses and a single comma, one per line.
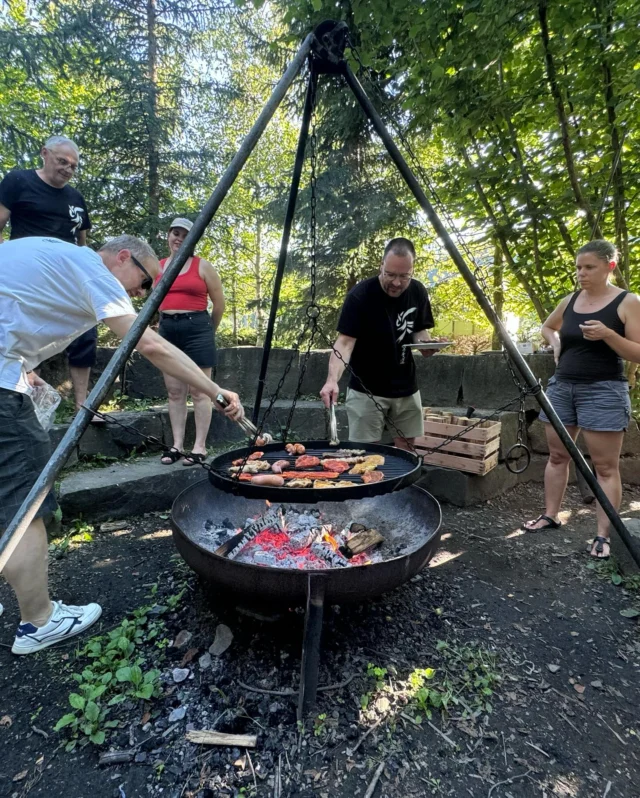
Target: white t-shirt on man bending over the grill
(50,293)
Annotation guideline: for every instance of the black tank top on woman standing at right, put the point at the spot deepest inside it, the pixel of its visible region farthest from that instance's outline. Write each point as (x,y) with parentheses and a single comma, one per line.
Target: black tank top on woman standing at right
(589,361)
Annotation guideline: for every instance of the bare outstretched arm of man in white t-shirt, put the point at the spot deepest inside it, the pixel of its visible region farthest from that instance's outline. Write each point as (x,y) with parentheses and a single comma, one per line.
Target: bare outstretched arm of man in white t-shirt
(170,360)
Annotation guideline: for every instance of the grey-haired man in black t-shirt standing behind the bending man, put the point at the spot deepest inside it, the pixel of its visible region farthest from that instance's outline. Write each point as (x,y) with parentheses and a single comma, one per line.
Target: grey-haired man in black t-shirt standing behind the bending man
(39,202)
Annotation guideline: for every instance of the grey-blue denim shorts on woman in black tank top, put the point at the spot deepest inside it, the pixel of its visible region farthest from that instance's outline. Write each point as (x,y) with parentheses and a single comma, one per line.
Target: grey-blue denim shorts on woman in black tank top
(598,406)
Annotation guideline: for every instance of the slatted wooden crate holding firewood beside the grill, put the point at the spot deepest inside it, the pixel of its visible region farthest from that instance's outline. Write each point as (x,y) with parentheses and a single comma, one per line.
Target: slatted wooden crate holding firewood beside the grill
(475,451)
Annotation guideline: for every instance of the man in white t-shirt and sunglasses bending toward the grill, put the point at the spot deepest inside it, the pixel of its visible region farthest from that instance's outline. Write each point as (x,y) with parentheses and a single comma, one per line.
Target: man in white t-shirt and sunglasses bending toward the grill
(50,292)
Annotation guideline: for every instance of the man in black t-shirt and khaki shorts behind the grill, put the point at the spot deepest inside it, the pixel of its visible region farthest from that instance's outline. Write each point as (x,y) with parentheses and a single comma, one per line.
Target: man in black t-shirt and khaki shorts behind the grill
(380,316)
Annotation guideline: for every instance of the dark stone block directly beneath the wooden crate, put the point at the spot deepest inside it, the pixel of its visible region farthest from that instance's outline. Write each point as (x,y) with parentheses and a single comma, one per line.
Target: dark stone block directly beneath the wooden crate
(461,489)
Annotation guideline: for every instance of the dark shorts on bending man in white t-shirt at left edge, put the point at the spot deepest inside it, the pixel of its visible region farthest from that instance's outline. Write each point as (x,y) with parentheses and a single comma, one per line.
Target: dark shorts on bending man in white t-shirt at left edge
(24,452)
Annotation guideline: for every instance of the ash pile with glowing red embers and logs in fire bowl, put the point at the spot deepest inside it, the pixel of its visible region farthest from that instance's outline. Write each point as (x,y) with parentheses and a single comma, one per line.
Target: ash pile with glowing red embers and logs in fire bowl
(287,538)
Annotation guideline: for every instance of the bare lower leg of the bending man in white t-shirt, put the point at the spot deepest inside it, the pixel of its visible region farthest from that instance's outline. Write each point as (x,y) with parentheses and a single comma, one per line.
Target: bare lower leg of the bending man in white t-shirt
(27,573)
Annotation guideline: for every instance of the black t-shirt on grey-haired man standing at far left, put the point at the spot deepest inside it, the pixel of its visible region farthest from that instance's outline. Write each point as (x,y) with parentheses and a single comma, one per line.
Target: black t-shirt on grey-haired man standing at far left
(38,209)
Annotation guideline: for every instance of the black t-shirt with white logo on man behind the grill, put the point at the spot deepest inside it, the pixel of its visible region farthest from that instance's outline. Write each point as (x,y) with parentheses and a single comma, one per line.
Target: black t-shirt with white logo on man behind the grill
(382,324)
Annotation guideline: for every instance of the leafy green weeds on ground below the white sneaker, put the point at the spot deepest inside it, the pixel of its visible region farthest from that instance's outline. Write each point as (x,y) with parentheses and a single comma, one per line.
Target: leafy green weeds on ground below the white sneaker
(117,672)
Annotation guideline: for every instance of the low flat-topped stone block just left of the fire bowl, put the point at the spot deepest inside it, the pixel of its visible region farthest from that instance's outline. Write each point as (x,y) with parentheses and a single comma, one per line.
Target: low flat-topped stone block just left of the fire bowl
(124,489)
